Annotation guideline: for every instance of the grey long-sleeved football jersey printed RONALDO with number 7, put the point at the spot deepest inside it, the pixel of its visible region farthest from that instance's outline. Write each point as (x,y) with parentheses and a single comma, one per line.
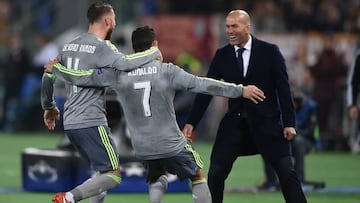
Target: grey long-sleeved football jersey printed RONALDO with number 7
(146,95)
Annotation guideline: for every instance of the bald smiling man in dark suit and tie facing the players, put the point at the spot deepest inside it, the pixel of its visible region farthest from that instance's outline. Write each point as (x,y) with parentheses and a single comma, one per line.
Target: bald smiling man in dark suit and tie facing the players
(265,128)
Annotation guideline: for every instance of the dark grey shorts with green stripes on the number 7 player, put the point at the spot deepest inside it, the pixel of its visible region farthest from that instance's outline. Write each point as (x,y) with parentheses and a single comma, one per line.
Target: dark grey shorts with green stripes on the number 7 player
(185,164)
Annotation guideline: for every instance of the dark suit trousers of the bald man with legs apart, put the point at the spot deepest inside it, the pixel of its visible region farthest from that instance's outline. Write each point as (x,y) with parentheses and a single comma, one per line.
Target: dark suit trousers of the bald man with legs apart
(233,139)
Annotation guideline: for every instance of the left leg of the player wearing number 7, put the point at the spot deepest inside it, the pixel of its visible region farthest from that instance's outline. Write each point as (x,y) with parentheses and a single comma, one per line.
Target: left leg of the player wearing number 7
(157,180)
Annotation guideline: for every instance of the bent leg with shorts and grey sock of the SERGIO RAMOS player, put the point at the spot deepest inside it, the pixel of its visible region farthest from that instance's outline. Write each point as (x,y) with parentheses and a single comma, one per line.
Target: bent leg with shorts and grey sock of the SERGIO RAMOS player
(96,146)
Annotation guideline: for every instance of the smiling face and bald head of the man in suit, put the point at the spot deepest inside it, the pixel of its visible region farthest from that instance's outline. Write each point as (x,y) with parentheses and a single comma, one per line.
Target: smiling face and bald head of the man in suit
(238,27)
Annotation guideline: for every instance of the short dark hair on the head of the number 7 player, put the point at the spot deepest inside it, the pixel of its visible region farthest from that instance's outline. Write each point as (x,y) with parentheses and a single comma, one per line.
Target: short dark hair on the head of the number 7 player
(142,38)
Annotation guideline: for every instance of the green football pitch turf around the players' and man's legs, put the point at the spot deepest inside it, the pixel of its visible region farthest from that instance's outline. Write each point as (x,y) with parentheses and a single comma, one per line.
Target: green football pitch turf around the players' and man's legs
(340,171)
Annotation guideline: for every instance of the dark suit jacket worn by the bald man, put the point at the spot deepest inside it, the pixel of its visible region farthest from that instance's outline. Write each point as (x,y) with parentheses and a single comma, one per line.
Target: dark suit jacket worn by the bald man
(266,120)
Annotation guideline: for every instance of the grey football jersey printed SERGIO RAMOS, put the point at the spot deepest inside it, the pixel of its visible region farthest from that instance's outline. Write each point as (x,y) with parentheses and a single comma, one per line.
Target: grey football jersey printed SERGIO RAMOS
(85,107)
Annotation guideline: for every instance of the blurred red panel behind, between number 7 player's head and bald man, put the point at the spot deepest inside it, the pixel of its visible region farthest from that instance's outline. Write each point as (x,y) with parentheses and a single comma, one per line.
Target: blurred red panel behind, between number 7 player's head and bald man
(178,33)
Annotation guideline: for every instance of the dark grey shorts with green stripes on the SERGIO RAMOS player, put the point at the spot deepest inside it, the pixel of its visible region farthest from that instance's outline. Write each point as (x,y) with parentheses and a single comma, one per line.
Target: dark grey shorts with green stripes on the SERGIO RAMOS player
(96,146)
